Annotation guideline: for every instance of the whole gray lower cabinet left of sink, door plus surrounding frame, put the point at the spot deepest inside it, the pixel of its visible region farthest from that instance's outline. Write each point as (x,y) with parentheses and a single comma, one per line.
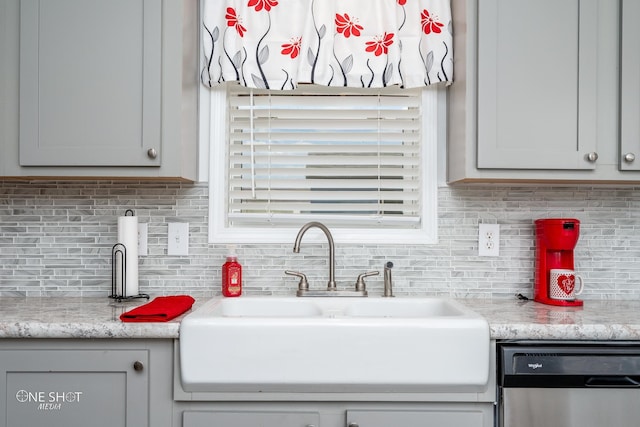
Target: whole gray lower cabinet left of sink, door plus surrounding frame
(104,383)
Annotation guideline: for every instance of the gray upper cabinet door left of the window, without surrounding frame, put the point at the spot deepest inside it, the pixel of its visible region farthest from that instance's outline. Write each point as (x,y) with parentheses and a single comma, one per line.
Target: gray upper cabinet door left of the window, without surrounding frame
(90,82)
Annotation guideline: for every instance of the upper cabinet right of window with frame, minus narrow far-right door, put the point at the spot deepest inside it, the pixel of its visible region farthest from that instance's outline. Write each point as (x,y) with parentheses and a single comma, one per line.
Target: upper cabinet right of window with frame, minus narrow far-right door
(535,93)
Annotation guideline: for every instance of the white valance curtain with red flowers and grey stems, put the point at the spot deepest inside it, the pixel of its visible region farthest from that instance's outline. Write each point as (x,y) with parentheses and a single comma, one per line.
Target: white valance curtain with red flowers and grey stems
(277,44)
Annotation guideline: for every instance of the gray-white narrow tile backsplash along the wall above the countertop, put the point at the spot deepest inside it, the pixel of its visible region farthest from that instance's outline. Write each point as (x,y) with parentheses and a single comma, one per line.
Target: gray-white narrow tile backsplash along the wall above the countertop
(56,239)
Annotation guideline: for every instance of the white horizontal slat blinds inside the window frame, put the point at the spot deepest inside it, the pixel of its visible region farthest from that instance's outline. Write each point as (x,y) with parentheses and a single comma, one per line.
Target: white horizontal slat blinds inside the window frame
(349,159)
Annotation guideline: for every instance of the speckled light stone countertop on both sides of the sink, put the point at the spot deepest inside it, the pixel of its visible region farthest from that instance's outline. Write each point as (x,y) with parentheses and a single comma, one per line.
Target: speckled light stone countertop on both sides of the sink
(50,317)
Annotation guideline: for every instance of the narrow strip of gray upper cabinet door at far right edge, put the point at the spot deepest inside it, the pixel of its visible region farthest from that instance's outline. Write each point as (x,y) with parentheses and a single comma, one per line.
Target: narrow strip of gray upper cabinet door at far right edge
(630,87)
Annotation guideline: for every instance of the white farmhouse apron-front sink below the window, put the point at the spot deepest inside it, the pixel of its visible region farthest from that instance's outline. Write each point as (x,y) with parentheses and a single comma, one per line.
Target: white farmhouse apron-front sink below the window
(333,344)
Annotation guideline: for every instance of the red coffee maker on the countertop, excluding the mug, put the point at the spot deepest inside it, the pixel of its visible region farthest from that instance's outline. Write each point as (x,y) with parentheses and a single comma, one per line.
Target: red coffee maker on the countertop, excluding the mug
(555,240)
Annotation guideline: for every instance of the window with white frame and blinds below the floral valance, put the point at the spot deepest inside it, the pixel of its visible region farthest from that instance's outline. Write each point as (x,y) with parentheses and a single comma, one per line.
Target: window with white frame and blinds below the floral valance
(361,162)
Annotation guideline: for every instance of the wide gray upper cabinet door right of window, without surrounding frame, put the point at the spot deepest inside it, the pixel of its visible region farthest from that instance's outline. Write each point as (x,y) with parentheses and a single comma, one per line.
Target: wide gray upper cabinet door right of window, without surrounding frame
(537,69)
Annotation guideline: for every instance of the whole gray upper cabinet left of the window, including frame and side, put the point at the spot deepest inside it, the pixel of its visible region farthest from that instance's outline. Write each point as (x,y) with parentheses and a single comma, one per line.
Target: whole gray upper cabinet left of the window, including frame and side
(106,88)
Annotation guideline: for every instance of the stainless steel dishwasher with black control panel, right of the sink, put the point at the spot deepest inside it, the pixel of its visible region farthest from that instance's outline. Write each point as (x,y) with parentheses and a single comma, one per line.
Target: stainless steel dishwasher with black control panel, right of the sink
(568,384)
